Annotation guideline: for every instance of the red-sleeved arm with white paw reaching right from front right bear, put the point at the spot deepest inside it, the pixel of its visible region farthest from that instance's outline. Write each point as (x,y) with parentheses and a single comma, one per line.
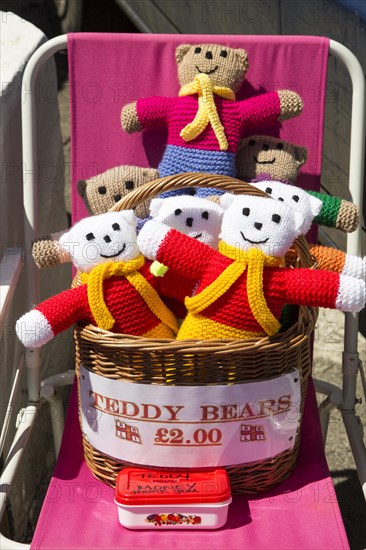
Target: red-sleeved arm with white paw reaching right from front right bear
(319,288)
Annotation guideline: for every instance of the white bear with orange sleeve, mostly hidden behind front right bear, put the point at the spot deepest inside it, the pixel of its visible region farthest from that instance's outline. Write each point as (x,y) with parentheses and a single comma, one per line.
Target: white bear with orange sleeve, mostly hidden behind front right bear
(310,206)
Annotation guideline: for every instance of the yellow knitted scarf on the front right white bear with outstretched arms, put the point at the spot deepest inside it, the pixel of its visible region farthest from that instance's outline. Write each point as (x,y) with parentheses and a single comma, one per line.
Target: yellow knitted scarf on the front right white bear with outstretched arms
(253,259)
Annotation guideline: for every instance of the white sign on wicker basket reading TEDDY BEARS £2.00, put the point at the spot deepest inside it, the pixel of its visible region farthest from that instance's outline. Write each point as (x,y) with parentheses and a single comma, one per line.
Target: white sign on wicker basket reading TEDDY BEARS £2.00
(190,426)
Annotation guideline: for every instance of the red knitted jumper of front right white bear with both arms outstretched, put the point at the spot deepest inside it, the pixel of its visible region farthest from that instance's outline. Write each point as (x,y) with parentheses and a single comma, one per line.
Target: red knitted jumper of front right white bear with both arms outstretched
(280,285)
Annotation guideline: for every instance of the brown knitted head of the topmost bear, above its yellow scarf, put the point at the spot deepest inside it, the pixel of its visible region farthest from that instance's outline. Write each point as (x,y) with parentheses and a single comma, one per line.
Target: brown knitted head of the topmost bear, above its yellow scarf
(225,66)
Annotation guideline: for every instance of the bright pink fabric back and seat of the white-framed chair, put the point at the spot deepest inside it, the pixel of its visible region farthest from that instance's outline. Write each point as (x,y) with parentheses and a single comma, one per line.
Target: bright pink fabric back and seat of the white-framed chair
(107,71)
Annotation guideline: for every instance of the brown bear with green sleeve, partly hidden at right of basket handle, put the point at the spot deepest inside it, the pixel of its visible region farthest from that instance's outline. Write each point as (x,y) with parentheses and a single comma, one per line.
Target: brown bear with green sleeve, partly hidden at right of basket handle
(269,158)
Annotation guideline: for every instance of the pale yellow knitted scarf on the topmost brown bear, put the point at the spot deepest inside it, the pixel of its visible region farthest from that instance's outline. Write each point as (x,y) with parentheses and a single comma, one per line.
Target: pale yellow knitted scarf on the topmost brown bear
(207,112)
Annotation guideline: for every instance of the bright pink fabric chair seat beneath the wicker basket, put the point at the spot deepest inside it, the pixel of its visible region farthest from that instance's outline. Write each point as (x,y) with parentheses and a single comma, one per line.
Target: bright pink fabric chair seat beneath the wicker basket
(302,513)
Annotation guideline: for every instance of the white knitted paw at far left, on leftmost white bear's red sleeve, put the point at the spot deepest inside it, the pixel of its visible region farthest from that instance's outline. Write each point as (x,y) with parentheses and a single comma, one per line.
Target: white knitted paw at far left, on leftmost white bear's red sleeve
(33,329)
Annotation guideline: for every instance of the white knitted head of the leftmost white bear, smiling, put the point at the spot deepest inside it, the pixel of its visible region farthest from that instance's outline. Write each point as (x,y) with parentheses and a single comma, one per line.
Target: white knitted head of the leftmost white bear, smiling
(109,237)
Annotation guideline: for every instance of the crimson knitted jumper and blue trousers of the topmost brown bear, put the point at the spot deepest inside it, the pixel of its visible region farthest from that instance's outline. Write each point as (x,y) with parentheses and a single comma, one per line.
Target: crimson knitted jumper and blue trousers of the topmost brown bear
(203,154)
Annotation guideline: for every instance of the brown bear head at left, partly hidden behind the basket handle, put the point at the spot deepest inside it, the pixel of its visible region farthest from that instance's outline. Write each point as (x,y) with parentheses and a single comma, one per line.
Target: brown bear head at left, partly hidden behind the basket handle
(102,191)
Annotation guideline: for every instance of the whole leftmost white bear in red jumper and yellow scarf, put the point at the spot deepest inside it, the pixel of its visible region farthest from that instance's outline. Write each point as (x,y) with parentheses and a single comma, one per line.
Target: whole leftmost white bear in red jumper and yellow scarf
(119,293)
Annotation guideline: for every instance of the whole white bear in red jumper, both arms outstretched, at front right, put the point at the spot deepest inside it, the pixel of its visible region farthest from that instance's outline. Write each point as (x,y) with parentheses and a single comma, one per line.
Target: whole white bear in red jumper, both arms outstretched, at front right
(242,287)
